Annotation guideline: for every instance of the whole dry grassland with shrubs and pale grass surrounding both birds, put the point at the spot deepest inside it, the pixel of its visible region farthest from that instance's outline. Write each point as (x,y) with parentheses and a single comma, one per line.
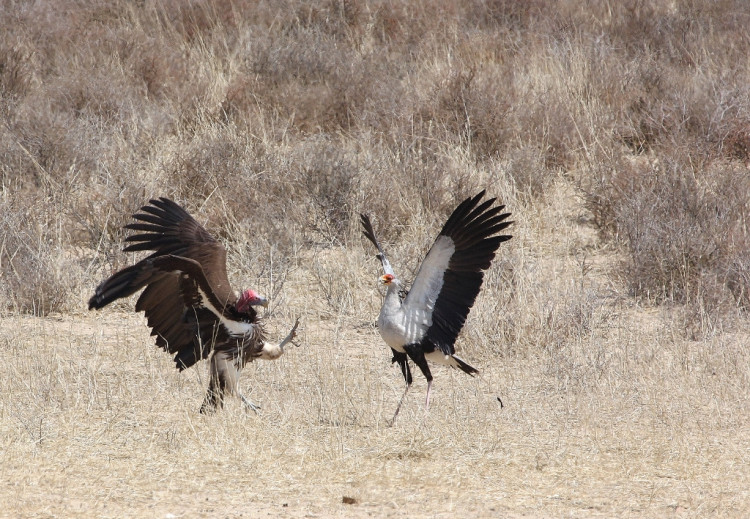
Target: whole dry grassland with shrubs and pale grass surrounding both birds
(613,326)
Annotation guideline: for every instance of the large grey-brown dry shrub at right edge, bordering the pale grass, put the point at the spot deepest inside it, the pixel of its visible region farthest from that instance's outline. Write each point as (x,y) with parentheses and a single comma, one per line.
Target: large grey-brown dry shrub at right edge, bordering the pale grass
(683,223)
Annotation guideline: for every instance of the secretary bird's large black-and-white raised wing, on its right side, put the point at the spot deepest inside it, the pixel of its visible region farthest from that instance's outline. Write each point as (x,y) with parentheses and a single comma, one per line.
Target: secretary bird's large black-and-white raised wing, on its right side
(451,274)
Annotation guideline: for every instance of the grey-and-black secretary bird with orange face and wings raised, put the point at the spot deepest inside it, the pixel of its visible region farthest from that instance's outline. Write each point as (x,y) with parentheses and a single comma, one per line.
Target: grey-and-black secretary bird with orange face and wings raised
(423,324)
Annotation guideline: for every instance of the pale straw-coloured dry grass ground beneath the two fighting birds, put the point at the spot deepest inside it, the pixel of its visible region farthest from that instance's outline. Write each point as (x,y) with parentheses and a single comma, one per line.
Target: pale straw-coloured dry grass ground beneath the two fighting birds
(609,413)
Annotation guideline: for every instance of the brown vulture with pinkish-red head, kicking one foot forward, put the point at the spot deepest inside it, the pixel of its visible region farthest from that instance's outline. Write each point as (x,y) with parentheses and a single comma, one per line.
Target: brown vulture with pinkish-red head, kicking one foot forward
(188,301)
